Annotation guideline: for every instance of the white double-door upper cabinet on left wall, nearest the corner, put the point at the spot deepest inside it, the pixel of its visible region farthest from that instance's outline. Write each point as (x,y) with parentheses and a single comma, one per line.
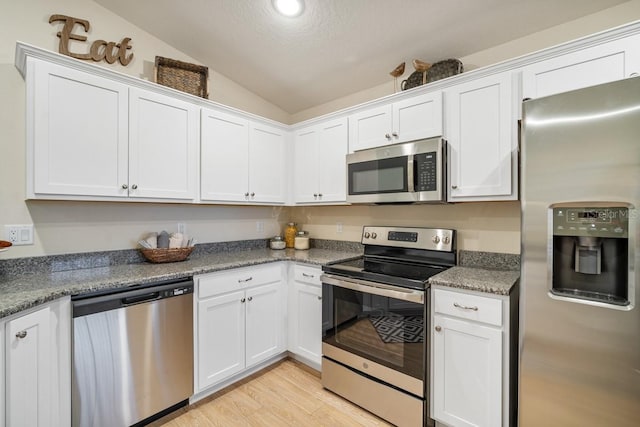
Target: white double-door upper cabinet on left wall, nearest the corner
(241,161)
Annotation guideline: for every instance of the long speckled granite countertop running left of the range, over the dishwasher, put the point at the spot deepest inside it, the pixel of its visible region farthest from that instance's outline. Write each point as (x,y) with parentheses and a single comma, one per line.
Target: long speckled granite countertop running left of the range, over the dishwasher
(23,291)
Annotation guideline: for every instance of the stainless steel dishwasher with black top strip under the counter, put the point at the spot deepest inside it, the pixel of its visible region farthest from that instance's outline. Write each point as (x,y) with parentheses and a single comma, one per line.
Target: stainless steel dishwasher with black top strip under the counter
(132,354)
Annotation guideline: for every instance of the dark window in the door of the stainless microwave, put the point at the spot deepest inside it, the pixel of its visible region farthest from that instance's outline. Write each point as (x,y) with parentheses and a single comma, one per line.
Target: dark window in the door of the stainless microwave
(378,176)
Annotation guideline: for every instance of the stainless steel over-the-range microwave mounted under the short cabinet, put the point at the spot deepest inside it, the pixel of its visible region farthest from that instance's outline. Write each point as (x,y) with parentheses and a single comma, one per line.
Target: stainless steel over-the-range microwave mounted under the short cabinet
(410,172)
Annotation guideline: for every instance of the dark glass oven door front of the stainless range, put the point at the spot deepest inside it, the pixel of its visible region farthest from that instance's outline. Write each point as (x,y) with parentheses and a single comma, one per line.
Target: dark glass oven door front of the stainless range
(385,330)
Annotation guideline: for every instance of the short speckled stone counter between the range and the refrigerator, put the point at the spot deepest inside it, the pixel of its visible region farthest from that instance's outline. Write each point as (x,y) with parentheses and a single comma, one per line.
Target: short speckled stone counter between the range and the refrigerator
(489,272)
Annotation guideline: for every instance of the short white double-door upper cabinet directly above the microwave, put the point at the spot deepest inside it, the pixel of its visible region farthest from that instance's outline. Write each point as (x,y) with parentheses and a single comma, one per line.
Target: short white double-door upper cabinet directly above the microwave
(406,120)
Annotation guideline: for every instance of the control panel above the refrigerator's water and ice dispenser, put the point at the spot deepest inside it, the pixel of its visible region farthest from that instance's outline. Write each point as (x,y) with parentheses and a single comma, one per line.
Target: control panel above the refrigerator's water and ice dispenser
(591,221)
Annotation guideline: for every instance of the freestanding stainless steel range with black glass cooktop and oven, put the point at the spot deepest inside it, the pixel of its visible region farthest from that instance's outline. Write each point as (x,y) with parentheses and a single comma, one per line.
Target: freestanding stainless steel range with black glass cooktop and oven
(375,314)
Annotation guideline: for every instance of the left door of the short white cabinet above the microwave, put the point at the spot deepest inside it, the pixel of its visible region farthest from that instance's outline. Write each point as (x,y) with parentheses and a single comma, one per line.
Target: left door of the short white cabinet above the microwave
(370,128)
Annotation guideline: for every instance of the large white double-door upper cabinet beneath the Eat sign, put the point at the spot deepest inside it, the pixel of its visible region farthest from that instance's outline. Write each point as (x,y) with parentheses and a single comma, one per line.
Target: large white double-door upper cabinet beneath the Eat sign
(96,139)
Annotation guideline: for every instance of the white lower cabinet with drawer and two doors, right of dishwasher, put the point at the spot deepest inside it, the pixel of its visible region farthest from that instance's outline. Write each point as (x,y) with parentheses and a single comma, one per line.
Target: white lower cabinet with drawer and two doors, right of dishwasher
(240,321)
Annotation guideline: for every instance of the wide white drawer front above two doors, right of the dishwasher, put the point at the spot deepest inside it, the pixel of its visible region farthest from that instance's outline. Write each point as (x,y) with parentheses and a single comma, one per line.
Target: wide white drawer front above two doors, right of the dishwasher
(240,278)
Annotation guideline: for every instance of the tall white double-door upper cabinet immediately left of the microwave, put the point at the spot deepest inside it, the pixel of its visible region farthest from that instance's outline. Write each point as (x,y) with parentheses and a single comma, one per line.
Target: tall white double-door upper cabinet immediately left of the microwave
(320,164)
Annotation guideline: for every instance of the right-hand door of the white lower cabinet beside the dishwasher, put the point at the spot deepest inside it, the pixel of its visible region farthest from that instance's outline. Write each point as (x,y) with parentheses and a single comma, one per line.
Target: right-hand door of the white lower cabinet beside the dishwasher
(264,323)
